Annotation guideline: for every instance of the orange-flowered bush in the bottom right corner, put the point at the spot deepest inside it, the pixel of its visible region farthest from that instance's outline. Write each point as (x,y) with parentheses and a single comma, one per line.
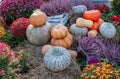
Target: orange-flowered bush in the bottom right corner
(100,71)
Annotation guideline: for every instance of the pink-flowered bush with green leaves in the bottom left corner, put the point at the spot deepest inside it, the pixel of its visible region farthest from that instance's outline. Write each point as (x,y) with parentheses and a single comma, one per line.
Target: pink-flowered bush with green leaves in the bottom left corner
(9,62)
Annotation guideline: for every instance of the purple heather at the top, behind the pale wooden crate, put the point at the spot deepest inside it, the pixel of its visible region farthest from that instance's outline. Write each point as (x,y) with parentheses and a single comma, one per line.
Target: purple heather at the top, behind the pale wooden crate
(55,7)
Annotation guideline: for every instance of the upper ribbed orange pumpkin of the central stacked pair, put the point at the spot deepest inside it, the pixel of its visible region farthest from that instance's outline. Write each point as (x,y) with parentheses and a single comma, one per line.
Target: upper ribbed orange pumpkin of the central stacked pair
(59,31)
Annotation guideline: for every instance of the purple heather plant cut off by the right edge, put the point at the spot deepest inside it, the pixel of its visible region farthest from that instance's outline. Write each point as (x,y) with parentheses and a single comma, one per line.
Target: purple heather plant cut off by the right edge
(113,54)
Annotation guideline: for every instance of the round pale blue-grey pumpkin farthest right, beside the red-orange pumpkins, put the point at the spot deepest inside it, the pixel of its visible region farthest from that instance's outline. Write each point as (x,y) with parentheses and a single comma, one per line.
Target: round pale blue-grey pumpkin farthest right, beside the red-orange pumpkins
(107,30)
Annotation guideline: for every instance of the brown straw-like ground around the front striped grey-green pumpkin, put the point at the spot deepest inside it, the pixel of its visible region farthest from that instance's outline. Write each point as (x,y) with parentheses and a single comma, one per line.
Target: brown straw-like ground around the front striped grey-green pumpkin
(37,69)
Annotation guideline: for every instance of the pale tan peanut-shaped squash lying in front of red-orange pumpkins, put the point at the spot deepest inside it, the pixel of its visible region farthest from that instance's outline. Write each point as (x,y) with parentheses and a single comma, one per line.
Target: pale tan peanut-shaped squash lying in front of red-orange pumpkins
(81,22)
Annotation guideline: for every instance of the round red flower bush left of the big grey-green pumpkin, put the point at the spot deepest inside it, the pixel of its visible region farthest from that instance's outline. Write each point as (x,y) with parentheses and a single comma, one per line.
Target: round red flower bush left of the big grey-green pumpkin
(19,26)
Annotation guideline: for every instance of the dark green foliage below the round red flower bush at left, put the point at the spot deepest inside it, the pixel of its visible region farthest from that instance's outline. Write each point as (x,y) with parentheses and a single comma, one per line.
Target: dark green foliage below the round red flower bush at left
(12,40)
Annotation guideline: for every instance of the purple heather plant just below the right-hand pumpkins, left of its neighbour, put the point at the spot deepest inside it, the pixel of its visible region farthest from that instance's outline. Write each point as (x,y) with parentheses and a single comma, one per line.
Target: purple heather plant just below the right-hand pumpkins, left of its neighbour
(91,46)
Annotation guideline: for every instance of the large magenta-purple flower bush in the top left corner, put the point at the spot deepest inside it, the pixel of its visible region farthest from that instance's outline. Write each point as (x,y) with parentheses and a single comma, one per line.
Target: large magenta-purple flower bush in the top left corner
(13,9)
